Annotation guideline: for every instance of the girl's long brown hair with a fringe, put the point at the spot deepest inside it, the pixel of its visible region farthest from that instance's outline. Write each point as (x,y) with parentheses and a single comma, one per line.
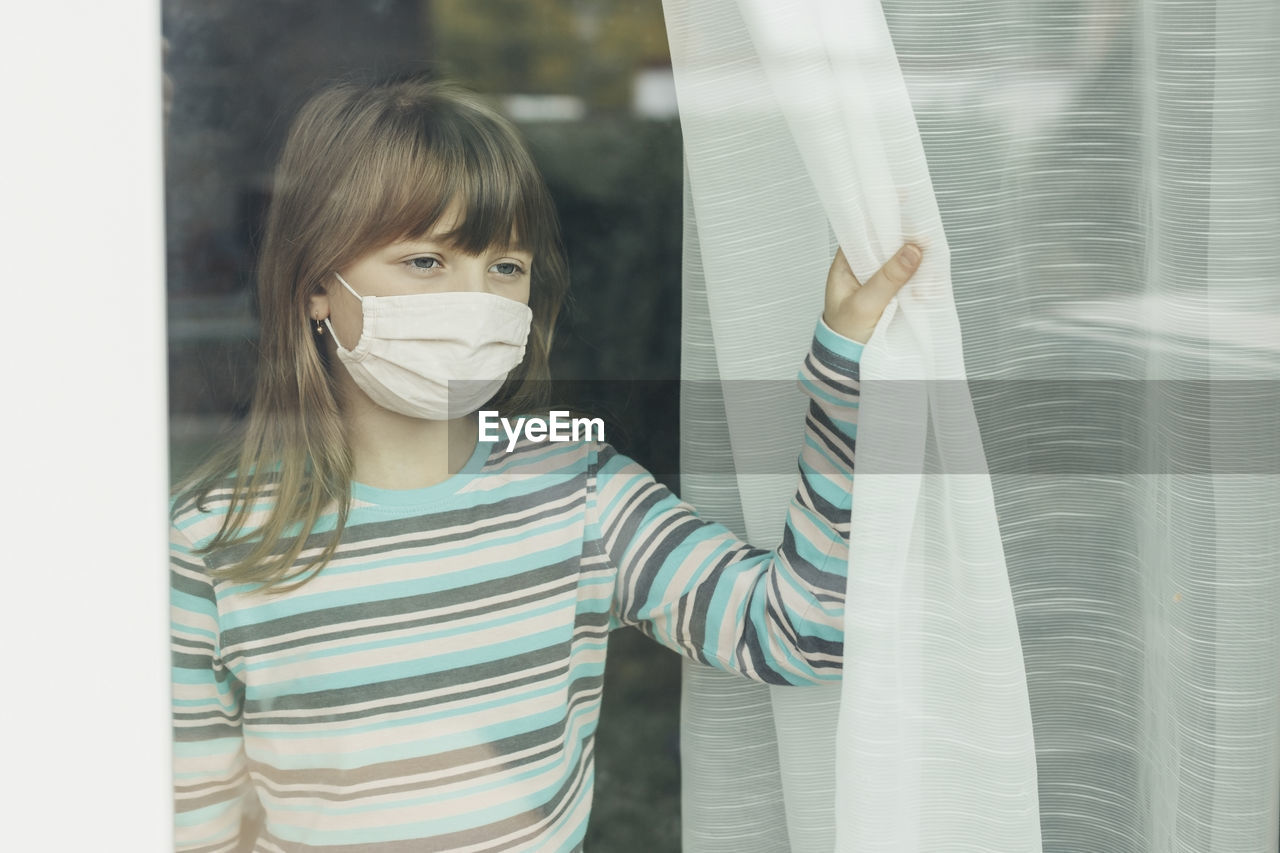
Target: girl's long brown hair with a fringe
(364,166)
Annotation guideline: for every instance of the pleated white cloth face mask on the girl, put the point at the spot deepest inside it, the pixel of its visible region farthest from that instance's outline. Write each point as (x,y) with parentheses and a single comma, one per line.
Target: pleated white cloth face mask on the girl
(413,346)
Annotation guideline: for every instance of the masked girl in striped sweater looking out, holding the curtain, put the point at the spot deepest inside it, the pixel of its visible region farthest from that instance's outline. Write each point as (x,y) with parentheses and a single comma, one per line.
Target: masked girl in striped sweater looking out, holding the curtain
(391,636)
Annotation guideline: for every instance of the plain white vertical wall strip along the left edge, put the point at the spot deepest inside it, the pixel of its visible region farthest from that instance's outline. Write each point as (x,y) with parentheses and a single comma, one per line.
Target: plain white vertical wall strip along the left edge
(84,627)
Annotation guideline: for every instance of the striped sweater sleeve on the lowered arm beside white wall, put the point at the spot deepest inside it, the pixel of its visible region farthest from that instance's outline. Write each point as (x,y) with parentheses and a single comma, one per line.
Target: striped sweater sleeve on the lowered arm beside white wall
(211,778)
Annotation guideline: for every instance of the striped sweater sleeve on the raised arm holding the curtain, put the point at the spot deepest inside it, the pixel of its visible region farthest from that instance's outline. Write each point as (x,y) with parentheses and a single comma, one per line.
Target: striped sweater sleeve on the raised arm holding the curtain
(776,617)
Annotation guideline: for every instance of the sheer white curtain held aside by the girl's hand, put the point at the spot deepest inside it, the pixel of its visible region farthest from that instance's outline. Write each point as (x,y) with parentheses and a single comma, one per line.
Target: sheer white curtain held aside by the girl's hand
(1098,188)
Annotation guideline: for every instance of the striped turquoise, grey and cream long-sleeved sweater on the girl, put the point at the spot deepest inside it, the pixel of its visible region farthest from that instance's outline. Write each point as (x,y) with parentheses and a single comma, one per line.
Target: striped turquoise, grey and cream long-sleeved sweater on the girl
(437,687)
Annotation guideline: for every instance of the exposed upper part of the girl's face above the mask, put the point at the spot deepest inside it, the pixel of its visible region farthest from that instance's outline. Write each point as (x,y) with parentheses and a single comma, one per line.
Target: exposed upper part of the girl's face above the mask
(422,266)
